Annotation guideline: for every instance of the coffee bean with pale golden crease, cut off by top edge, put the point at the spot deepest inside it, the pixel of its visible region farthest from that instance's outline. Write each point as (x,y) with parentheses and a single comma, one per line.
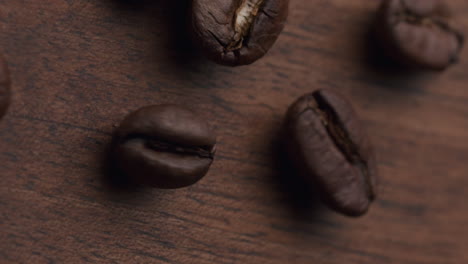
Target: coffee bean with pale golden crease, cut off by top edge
(237,32)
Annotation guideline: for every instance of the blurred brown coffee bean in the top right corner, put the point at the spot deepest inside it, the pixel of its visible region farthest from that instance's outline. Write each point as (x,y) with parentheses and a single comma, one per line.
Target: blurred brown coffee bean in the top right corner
(419,33)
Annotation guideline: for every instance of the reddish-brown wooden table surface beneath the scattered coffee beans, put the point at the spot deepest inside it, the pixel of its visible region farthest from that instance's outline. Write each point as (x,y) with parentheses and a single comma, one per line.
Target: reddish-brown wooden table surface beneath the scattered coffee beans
(79,66)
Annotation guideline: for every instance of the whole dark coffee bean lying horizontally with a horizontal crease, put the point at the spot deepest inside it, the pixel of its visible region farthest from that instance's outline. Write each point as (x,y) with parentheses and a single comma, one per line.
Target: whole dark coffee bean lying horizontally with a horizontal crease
(164,146)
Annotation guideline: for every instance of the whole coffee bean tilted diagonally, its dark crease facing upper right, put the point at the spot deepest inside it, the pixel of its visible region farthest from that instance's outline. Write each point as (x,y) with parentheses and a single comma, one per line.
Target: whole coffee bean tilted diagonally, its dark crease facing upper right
(326,141)
